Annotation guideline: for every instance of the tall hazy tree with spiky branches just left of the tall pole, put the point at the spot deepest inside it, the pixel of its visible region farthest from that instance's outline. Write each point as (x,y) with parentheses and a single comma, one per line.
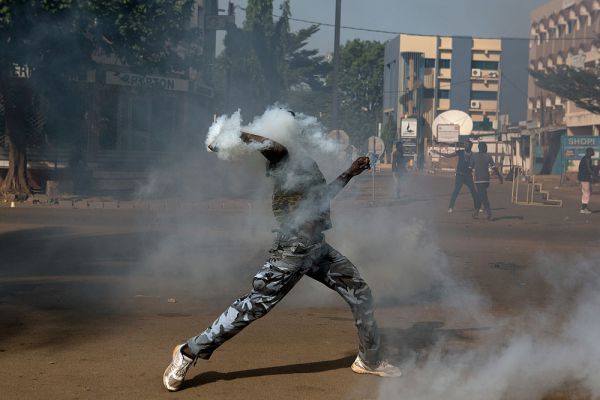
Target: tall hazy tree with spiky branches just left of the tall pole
(267,63)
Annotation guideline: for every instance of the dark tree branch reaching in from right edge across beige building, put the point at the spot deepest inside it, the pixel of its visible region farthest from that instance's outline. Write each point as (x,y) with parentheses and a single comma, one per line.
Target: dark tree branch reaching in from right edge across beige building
(581,86)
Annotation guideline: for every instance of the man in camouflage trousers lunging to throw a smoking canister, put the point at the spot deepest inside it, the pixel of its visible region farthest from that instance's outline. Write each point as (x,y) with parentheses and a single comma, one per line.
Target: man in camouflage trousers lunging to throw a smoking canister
(301,199)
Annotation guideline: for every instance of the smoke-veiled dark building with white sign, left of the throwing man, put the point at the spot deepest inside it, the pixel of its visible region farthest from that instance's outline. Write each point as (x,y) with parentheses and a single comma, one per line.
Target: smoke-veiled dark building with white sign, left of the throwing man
(121,120)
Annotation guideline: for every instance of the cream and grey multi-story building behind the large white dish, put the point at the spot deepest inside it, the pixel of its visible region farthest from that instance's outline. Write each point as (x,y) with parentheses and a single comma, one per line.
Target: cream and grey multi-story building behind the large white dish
(427,75)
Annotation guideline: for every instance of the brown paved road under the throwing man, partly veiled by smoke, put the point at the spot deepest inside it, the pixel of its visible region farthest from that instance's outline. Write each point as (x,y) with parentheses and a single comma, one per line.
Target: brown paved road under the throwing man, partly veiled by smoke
(85,311)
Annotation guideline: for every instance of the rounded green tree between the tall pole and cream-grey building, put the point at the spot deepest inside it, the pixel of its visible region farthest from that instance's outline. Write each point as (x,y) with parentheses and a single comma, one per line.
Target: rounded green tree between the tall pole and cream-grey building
(361,88)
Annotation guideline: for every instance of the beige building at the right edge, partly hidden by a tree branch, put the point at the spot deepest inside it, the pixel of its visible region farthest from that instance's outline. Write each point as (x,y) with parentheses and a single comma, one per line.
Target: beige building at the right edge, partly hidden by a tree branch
(563,32)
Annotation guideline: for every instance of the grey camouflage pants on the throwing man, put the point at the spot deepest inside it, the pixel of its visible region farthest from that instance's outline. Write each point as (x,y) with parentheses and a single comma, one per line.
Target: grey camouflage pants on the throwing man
(291,258)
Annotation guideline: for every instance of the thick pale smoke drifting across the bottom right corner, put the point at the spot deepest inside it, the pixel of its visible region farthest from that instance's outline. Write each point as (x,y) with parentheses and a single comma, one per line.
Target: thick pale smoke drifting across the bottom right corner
(557,345)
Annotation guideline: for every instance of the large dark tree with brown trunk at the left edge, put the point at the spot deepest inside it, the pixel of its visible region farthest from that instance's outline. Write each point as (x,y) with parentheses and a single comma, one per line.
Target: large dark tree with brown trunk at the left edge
(54,41)
